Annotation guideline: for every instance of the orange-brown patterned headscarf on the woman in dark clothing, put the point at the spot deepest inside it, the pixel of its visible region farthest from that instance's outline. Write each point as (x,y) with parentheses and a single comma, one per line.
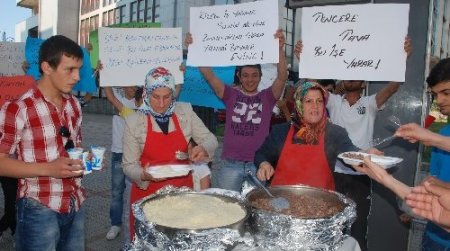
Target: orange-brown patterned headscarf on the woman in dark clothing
(309,133)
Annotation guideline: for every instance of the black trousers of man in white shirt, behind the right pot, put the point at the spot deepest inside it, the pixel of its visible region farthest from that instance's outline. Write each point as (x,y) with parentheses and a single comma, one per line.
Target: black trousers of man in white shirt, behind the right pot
(357,188)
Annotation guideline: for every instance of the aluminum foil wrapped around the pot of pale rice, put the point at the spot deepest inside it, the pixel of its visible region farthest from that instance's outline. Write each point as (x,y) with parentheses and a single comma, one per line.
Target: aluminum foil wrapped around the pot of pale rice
(148,237)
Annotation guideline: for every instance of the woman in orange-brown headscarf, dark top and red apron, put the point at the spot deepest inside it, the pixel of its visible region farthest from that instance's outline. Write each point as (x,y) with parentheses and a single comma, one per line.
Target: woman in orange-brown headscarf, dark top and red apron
(304,151)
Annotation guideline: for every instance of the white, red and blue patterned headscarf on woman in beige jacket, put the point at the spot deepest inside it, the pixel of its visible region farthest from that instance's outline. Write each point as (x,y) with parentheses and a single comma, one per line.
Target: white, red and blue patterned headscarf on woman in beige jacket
(156,78)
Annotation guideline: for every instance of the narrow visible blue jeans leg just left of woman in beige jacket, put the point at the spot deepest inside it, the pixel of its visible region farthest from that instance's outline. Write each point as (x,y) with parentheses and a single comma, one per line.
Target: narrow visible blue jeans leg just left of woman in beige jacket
(117,189)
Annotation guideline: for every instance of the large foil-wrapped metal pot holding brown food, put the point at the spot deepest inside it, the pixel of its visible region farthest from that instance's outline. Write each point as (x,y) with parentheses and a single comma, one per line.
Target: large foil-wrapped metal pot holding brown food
(278,231)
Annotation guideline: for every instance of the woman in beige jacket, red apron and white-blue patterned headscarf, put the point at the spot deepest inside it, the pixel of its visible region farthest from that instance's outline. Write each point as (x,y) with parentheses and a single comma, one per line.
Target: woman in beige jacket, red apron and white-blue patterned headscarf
(153,136)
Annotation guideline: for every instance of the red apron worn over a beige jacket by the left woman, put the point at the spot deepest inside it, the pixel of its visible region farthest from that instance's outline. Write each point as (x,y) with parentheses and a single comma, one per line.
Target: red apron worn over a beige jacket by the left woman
(159,149)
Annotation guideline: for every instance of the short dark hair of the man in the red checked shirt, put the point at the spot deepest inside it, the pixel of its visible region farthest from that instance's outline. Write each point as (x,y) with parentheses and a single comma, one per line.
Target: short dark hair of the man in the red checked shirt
(55,47)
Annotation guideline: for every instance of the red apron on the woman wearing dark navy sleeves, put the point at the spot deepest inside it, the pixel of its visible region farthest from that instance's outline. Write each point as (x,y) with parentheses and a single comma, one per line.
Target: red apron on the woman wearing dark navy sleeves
(303,164)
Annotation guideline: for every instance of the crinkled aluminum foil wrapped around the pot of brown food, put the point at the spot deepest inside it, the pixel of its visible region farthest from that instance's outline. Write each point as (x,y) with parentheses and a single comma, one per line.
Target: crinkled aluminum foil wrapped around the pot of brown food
(282,232)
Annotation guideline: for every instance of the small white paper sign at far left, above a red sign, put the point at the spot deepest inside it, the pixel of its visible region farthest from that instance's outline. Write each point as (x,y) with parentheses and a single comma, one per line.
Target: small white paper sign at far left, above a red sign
(12,55)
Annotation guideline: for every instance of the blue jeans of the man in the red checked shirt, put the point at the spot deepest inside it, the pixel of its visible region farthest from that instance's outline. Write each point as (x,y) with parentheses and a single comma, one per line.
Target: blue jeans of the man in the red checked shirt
(40,228)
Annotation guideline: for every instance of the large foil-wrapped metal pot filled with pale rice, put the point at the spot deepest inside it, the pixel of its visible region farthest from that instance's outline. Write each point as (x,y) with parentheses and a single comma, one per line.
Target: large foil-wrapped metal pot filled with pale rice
(150,236)
